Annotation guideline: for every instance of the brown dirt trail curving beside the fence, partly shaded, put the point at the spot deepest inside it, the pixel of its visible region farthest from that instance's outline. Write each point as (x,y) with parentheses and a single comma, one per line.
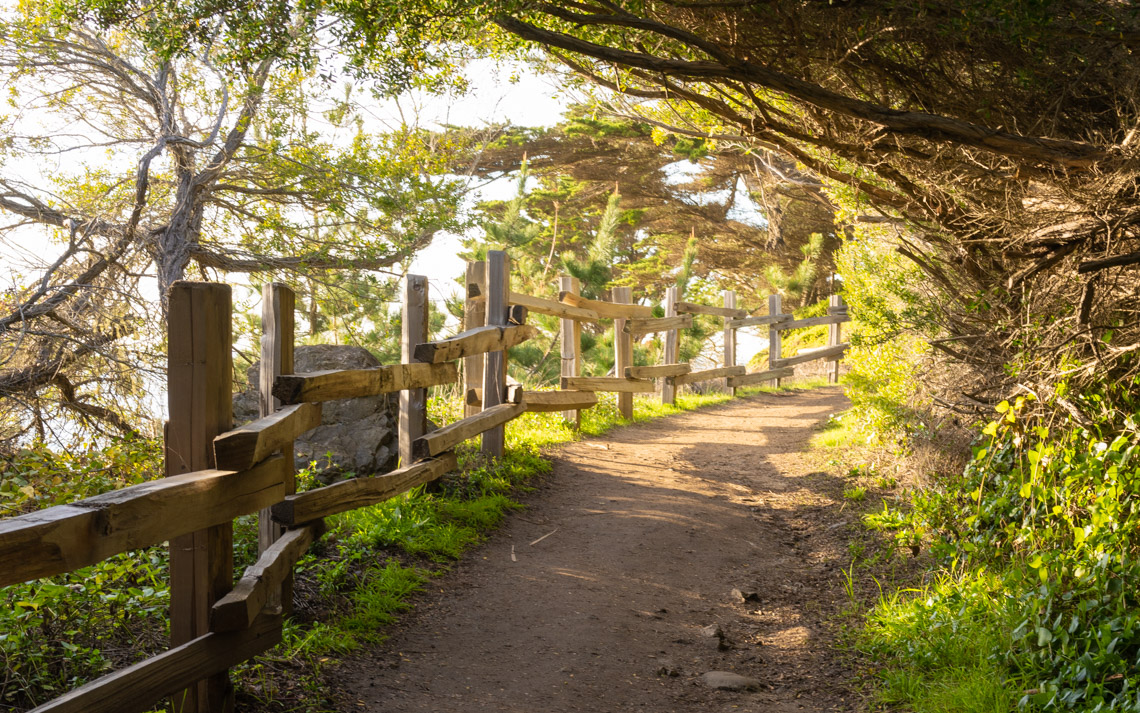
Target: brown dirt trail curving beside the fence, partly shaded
(654,528)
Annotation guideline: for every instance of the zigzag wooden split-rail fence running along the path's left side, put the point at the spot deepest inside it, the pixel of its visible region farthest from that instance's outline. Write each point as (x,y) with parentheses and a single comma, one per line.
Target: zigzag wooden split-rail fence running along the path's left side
(216,473)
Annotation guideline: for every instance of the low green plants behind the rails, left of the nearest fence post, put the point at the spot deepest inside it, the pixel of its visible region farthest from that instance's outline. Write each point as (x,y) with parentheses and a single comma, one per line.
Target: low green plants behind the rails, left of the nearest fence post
(60,633)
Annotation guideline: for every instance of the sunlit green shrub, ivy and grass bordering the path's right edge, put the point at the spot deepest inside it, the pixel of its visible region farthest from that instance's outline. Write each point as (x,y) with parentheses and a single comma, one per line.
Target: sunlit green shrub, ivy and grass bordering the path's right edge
(1028,595)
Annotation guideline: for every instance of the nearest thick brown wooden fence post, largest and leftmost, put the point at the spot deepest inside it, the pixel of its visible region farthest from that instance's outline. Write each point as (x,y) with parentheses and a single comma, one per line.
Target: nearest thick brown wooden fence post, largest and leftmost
(199,383)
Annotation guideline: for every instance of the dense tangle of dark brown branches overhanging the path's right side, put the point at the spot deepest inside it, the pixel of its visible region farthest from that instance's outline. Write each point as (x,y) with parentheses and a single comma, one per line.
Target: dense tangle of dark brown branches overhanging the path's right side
(995,143)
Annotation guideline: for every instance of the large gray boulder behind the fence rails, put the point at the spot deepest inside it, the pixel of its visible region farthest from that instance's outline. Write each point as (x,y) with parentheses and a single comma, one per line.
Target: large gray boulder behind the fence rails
(355,435)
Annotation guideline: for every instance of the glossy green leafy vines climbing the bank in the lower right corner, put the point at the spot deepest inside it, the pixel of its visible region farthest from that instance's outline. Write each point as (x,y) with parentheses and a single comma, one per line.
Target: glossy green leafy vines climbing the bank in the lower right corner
(1052,516)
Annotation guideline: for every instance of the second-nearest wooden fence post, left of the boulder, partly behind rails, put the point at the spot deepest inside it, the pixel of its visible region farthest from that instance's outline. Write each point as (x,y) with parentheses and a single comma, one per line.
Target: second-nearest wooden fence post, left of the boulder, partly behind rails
(278,338)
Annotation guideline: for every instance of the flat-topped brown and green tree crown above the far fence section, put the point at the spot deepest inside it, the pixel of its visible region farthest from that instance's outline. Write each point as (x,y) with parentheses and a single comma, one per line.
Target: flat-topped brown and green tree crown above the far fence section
(745,217)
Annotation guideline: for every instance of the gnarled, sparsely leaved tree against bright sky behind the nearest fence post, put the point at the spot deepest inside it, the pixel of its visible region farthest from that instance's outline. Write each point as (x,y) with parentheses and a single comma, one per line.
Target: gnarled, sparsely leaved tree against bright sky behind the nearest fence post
(145,145)
